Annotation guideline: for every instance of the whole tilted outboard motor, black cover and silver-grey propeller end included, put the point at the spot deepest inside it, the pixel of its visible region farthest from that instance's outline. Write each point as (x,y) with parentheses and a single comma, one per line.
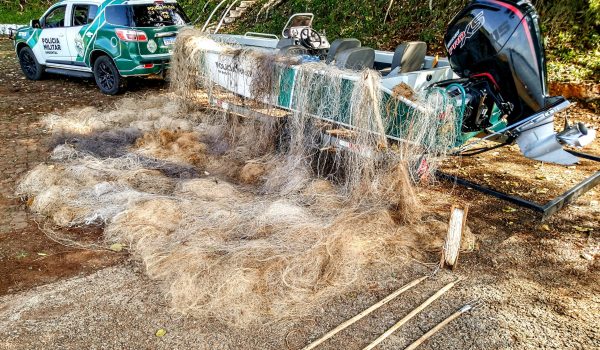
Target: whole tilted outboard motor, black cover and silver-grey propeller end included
(495,46)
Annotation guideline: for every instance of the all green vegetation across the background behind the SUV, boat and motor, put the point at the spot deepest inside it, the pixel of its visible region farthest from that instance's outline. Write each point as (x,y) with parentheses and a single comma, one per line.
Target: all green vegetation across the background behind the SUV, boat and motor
(571,27)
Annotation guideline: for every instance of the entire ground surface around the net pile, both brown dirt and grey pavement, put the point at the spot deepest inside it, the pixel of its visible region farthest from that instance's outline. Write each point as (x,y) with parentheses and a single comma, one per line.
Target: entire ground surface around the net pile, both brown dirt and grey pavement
(539,281)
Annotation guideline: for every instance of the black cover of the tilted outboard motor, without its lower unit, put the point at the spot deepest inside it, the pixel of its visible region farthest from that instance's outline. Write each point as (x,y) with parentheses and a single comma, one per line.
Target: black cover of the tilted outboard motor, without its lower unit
(501,41)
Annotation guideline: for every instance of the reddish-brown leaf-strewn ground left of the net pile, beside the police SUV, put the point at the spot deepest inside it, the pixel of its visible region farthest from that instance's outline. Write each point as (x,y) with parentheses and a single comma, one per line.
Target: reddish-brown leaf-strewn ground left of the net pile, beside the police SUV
(27,257)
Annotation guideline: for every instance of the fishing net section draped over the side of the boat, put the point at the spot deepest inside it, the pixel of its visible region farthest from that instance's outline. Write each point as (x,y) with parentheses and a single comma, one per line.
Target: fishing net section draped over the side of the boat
(320,102)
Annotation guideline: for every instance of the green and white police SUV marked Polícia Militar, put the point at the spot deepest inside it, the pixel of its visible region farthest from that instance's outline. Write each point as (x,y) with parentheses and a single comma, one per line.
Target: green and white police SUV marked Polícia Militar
(105,39)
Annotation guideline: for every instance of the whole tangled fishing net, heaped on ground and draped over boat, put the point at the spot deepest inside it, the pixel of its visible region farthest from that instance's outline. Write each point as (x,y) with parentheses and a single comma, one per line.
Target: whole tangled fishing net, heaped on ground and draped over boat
(250,220)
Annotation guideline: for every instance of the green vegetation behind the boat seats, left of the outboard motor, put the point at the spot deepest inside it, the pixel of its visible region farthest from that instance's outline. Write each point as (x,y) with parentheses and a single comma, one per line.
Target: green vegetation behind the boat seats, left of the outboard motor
(408,20)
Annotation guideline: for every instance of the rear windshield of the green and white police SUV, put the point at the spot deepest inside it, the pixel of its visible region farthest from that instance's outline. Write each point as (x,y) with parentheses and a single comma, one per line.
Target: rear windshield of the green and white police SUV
(158,15)
